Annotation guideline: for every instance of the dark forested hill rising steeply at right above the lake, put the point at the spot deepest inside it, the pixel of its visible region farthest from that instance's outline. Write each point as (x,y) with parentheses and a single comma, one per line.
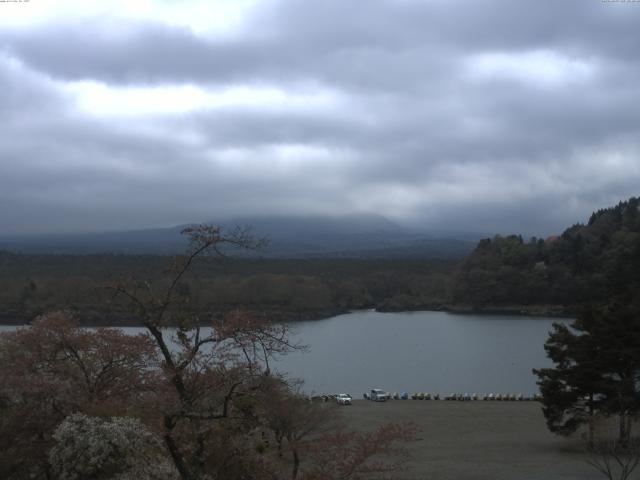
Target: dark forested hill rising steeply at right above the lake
(587,263)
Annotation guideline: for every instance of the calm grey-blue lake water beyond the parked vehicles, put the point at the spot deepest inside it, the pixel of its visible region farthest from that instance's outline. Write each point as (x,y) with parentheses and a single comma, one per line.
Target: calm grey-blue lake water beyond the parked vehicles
(418,351)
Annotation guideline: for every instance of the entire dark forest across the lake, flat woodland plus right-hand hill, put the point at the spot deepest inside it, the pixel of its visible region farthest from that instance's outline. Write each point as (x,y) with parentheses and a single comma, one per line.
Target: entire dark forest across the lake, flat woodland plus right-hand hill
(587,263)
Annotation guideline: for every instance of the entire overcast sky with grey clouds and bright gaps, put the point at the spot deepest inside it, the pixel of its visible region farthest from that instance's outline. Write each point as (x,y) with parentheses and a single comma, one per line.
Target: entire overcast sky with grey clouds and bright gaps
(494,116)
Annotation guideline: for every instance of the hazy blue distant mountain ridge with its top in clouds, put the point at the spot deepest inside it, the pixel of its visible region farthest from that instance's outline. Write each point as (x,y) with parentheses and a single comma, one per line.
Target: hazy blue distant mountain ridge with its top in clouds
(346,236)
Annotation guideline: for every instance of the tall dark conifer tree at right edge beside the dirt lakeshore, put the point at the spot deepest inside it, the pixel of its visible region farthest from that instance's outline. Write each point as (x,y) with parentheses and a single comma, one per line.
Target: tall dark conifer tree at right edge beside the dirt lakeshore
(597,370)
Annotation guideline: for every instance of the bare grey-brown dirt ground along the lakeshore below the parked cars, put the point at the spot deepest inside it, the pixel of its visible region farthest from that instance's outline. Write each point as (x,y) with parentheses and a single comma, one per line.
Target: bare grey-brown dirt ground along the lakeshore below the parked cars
(478,440)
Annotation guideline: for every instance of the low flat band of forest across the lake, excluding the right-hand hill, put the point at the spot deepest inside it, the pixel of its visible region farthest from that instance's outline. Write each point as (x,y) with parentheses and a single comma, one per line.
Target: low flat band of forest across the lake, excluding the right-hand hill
(283,289)
